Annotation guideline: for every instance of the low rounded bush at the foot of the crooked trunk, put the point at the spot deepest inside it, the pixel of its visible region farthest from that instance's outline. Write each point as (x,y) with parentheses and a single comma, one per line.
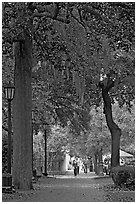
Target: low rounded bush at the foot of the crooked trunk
(124,176)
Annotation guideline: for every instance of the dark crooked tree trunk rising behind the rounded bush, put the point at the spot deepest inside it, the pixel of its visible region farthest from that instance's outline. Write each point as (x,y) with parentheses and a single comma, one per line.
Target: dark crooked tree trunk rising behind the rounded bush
(113,127)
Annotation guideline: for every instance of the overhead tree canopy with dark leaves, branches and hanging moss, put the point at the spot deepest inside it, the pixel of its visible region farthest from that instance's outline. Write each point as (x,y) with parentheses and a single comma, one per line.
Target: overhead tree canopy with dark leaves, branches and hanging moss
(76,43)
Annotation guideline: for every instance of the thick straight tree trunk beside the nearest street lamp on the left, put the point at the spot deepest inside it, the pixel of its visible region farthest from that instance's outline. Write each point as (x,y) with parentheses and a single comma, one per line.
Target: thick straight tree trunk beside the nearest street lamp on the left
(22,124)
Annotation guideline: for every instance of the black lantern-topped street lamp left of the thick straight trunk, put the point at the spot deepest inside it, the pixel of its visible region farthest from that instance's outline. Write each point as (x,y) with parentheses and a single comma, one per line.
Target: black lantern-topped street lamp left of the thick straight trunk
(9,91)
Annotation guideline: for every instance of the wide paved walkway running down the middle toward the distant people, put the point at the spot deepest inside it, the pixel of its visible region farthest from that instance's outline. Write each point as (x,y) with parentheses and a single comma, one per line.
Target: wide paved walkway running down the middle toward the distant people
(67,188)
